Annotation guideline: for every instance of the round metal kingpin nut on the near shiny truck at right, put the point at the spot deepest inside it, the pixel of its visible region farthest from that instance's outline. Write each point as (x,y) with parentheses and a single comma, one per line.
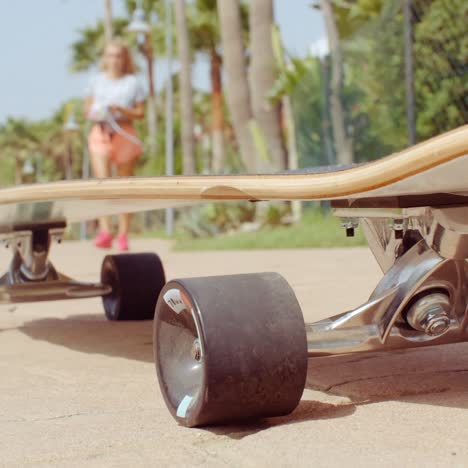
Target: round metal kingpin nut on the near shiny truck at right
(430,314)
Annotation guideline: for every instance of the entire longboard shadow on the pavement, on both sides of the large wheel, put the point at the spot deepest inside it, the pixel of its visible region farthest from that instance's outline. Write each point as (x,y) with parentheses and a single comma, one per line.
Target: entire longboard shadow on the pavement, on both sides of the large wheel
(434,375)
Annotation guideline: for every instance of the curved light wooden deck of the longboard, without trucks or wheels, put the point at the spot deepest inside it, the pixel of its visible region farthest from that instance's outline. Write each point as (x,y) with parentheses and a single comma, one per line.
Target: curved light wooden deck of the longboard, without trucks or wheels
(436,166)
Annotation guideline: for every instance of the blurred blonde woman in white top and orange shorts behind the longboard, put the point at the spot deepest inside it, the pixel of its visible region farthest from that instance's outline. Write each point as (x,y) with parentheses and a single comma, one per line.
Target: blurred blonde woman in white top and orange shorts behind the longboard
(114,99)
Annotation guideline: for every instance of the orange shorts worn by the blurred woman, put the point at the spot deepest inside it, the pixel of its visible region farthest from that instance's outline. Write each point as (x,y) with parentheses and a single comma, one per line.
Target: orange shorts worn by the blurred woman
(113,145)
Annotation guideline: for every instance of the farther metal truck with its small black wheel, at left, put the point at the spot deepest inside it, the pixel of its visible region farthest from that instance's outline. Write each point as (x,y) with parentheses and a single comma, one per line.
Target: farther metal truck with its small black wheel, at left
(129,286)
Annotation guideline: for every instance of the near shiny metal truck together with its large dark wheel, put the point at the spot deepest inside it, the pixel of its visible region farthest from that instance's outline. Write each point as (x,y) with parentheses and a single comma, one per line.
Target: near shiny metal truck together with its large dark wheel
(235,347)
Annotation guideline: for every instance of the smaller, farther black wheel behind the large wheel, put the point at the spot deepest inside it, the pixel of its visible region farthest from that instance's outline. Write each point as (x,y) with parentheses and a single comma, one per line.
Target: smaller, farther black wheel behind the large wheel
(136,281)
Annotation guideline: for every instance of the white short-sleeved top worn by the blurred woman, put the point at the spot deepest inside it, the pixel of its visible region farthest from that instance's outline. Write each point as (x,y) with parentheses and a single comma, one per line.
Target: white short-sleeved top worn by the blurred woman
(126,91)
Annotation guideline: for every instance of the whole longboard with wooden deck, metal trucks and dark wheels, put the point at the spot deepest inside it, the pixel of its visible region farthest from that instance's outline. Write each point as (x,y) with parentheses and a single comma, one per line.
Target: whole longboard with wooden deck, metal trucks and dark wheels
(236,346)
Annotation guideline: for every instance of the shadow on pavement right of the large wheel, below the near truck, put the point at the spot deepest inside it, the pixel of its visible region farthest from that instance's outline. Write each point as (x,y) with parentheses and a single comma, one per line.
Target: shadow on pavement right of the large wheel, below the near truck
(416,373)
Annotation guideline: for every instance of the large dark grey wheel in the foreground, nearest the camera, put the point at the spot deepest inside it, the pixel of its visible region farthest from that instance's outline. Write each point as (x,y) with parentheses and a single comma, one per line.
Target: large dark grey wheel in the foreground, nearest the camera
(229,348)
